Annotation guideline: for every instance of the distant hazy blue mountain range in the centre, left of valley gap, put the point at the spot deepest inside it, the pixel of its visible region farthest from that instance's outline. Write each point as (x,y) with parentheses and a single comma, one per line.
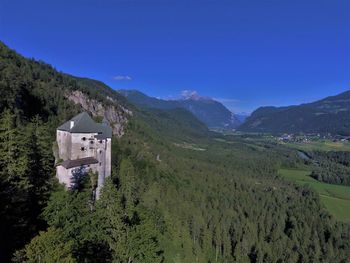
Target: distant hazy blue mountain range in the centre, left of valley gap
(210,112)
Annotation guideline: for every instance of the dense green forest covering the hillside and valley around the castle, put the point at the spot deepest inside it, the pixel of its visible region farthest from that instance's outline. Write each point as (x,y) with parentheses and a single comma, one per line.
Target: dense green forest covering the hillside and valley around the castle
(164,202)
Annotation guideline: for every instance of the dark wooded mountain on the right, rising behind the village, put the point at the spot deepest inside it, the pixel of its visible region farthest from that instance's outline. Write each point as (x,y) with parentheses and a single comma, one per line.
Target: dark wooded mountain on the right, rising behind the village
(329,115)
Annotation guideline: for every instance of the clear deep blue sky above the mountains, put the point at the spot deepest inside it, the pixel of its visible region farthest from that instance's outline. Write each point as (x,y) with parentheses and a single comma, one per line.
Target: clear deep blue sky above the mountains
(246,53)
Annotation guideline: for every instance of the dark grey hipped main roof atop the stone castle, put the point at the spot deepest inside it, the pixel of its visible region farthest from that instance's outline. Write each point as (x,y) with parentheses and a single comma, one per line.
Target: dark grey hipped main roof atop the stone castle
(84,124)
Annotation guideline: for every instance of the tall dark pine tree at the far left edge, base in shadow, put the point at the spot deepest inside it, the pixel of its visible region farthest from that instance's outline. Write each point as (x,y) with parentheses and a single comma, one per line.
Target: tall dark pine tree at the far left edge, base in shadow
(14,187)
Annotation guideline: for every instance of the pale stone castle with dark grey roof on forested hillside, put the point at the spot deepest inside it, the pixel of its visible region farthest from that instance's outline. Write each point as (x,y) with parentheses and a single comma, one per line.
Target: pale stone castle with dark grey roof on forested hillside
(84,145)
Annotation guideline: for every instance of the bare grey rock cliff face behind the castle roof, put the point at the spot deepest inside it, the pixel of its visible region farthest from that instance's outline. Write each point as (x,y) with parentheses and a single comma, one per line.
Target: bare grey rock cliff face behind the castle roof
(116,114)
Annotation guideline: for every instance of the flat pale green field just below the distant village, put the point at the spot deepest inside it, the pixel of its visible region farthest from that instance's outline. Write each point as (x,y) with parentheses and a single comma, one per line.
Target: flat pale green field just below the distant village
(323,145)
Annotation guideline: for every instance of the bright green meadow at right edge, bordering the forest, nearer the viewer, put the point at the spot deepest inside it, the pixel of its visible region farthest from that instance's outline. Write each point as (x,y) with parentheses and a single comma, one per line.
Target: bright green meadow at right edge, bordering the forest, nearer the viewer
(336,198)
